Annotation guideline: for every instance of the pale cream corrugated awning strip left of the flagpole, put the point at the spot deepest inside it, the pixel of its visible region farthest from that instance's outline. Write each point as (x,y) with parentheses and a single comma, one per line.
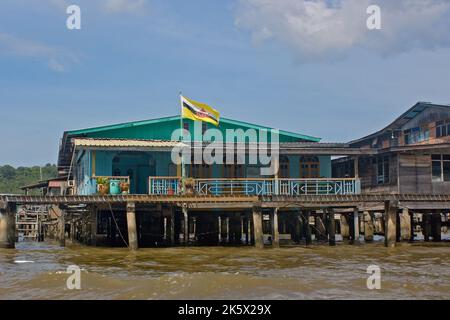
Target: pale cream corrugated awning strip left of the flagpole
(118,143)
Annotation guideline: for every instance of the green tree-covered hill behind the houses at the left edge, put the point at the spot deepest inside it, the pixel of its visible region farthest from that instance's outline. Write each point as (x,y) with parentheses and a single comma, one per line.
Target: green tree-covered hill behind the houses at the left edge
(11,179)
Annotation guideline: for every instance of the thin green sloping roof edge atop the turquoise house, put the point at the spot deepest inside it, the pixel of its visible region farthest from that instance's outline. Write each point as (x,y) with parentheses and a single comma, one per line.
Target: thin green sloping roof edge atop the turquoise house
(177,118)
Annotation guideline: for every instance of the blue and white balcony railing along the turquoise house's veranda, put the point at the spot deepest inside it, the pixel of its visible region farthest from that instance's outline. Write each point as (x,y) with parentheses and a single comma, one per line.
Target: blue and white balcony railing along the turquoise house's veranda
(257,187)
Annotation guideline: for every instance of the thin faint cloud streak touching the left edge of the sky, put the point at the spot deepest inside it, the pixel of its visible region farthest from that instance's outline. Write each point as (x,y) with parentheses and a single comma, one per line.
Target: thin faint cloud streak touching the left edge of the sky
(56,59)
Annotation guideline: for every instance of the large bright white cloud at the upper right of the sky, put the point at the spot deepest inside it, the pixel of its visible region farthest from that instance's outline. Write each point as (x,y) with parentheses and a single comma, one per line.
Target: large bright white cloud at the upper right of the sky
(320,28)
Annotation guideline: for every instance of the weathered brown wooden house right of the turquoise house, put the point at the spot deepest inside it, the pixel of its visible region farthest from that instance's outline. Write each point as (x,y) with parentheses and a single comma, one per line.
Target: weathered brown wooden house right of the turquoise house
(412,154)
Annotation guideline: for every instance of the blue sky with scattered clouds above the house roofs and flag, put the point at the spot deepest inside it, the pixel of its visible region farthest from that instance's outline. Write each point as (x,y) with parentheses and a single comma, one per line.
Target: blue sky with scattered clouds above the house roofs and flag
(305,66)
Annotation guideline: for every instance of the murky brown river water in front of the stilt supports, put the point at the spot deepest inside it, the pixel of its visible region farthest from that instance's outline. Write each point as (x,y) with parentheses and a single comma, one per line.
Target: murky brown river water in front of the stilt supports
(37,271)
